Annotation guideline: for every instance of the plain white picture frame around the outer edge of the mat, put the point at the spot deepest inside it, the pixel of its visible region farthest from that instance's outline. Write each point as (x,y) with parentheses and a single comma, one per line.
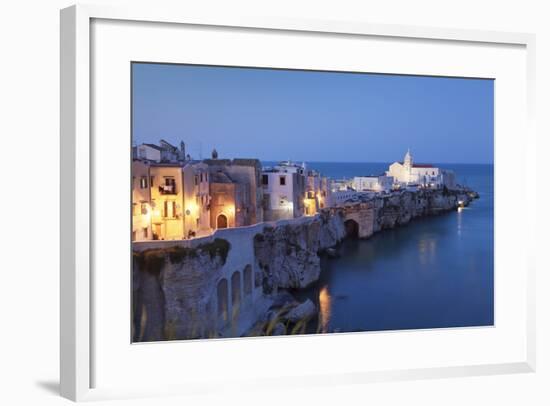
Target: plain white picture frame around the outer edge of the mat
(77,282)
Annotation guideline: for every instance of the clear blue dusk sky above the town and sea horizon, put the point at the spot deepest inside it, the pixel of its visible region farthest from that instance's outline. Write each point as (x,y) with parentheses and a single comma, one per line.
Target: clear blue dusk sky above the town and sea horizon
(313,116)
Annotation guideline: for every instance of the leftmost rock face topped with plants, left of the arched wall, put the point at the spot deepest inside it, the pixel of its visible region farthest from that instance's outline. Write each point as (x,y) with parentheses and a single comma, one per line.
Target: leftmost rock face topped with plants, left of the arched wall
(174,291)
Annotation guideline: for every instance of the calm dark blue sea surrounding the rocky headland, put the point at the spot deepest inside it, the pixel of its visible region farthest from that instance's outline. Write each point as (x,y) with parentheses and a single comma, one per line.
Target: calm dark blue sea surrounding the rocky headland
(434,272)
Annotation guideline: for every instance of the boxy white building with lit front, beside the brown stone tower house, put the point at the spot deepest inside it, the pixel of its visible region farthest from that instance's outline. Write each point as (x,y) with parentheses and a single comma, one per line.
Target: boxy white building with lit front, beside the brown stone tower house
(284,188)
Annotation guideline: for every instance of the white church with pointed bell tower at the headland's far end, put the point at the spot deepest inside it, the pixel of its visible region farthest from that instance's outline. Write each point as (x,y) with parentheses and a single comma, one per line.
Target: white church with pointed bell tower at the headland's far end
(426,175)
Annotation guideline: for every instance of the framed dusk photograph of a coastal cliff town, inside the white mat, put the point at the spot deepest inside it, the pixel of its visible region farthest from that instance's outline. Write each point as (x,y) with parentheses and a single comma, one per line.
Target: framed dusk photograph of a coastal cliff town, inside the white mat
(275,202)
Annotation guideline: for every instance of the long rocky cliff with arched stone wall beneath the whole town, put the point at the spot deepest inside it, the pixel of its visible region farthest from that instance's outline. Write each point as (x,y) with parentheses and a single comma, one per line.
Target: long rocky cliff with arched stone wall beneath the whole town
(224,284)
